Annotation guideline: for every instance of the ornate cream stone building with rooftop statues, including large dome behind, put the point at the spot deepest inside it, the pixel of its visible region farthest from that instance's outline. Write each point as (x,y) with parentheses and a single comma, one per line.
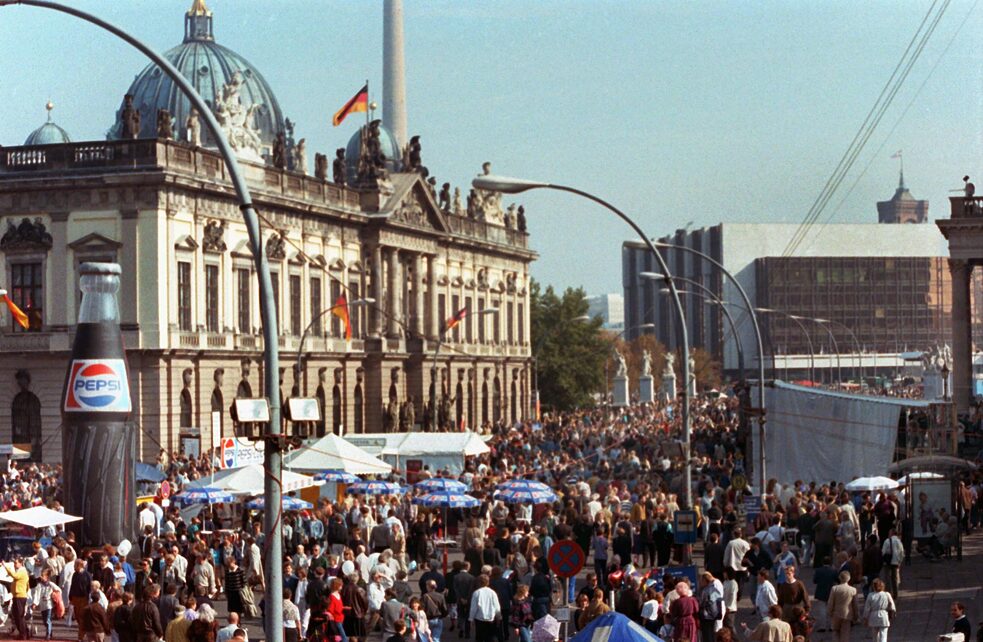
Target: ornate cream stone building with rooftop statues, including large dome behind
(164,209)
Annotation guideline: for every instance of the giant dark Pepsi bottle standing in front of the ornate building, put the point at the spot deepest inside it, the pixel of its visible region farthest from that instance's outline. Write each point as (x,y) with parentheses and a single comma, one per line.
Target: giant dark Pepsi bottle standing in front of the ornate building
(98,440)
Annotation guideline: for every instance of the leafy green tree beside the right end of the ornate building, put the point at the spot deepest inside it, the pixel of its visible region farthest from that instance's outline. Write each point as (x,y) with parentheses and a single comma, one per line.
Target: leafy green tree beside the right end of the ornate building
(569,353)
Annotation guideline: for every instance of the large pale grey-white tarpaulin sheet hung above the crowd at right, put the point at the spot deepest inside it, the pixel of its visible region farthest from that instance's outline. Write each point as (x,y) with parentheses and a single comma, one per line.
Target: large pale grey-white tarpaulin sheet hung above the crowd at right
(821,435)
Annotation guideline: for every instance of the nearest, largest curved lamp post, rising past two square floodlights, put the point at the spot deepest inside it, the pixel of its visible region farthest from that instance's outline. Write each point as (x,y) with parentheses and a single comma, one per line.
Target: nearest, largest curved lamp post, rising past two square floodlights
(273,623)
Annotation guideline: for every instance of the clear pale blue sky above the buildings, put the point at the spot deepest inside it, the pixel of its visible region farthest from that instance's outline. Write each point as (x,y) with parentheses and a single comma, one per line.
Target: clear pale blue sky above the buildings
(675,112)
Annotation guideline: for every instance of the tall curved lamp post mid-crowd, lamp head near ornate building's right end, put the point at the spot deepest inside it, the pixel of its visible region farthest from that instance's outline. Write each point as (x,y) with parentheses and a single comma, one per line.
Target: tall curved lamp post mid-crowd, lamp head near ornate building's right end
(517,185)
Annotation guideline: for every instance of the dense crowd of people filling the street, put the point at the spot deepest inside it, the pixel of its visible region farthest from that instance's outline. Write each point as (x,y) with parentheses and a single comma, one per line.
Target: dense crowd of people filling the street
(356,567)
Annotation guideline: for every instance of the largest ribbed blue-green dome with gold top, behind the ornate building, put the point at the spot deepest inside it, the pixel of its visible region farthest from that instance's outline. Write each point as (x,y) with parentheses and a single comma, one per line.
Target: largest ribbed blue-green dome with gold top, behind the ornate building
(209,66)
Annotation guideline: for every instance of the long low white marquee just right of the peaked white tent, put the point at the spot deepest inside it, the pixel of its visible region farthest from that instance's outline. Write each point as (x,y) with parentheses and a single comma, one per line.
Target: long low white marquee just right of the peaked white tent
(438,450)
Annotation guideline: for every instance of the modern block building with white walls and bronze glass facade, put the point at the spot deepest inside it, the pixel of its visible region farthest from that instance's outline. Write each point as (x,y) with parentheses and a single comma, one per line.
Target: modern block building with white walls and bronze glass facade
(878,289)
